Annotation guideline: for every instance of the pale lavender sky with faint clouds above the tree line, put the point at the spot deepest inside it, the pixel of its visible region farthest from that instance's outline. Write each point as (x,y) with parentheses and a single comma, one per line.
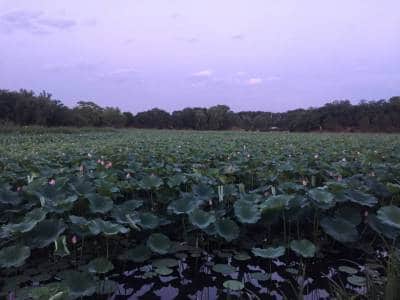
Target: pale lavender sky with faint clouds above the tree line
(248,54)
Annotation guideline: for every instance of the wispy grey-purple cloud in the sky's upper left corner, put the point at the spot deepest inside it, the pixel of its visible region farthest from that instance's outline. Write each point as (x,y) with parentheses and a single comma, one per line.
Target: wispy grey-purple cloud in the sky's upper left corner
(34,22)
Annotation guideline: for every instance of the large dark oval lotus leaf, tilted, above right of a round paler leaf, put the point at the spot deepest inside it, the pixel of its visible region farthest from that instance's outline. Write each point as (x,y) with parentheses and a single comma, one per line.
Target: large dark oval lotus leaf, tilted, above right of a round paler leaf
(340,229)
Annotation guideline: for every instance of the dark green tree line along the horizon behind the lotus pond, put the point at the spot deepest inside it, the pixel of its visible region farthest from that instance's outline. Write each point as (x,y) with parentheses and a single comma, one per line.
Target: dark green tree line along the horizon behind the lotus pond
(22,108)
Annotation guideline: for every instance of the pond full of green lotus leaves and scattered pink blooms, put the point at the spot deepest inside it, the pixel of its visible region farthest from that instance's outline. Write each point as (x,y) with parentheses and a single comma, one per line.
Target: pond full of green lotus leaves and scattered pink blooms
(143,214)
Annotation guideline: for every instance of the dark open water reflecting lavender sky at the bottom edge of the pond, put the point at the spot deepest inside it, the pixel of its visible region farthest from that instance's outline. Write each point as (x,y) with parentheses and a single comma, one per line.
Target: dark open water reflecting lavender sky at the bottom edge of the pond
(194,278)
